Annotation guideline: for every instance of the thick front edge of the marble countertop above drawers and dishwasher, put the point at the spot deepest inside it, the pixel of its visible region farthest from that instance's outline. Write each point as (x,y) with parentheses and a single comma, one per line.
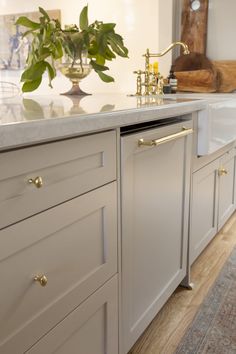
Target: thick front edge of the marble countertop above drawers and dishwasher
(22,134)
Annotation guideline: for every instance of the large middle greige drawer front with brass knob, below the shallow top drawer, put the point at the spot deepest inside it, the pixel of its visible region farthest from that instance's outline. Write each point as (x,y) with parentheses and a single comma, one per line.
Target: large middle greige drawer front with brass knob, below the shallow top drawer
(74,245)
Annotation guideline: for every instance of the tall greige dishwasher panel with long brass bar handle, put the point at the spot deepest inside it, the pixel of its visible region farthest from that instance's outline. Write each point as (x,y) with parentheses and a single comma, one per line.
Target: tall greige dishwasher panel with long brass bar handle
(155,183)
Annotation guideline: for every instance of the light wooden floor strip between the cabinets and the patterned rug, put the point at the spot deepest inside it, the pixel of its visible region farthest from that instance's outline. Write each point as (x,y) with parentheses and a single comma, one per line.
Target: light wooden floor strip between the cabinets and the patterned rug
(164,333)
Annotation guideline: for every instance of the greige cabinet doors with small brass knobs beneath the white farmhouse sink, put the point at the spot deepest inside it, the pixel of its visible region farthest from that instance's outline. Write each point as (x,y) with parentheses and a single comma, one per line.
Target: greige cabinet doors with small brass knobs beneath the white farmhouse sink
(212,201)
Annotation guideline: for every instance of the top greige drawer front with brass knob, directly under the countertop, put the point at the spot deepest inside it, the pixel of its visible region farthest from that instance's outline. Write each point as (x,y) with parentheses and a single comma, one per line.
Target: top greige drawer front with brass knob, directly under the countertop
(68,168)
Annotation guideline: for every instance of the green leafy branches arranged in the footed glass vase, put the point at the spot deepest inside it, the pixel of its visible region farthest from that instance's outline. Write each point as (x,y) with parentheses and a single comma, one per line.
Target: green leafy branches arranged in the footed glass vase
(50,43)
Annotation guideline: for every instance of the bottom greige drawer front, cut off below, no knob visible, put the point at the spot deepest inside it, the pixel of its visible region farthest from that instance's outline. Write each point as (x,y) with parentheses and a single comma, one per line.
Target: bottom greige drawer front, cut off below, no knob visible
(90,329)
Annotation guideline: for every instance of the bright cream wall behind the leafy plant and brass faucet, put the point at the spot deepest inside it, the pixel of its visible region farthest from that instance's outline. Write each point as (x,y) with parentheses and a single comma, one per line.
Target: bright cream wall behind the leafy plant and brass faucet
(137,21)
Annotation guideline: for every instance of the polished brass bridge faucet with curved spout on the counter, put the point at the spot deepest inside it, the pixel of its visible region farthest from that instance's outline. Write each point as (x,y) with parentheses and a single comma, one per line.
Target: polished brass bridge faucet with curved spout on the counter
(152,84)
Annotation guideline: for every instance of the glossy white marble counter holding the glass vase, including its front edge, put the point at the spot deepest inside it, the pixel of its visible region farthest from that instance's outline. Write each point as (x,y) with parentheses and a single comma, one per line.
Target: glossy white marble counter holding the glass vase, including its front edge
(31,119)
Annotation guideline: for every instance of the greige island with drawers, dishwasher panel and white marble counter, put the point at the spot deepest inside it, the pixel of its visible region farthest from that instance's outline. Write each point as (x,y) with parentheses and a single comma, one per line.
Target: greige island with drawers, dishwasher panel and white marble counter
(69,203)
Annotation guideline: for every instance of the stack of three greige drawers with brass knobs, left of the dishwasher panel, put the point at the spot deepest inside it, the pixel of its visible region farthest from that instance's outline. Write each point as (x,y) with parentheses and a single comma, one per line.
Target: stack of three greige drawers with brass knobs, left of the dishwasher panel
(59,266)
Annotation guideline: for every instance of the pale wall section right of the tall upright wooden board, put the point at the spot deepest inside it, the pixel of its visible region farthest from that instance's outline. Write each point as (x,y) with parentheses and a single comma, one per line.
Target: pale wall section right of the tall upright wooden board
(221,30)
